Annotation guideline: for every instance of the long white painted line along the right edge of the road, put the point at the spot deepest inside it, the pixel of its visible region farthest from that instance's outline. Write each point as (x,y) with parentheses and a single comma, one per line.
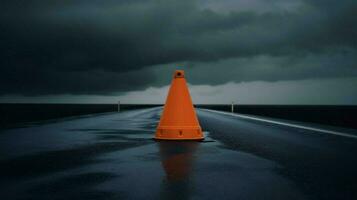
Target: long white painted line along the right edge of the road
(285,124)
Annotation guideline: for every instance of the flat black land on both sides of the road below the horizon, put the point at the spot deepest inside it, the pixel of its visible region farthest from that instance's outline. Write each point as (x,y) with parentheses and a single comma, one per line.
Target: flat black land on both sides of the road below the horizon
(343,116)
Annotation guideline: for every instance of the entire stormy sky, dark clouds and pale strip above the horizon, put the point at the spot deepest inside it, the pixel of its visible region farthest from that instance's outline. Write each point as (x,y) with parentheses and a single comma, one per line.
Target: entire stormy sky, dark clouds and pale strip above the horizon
(247,51)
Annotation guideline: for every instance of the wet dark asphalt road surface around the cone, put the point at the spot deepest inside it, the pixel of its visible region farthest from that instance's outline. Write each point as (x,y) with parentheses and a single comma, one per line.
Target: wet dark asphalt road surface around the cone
(113,156)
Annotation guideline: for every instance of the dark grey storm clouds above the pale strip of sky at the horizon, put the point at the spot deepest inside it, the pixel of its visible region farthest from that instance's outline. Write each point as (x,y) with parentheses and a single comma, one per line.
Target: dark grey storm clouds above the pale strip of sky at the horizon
(95,46)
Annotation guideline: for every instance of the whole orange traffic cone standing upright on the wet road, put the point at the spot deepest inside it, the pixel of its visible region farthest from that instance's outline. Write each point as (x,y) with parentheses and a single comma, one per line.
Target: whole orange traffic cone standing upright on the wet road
(178,120)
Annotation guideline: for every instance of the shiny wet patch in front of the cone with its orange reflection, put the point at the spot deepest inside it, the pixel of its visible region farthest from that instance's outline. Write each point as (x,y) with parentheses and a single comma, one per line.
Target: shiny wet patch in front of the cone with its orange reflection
(200,170)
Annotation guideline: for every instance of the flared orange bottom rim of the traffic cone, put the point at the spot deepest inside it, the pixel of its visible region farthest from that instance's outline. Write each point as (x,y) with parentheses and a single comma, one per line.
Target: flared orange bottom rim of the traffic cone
(179,133)
